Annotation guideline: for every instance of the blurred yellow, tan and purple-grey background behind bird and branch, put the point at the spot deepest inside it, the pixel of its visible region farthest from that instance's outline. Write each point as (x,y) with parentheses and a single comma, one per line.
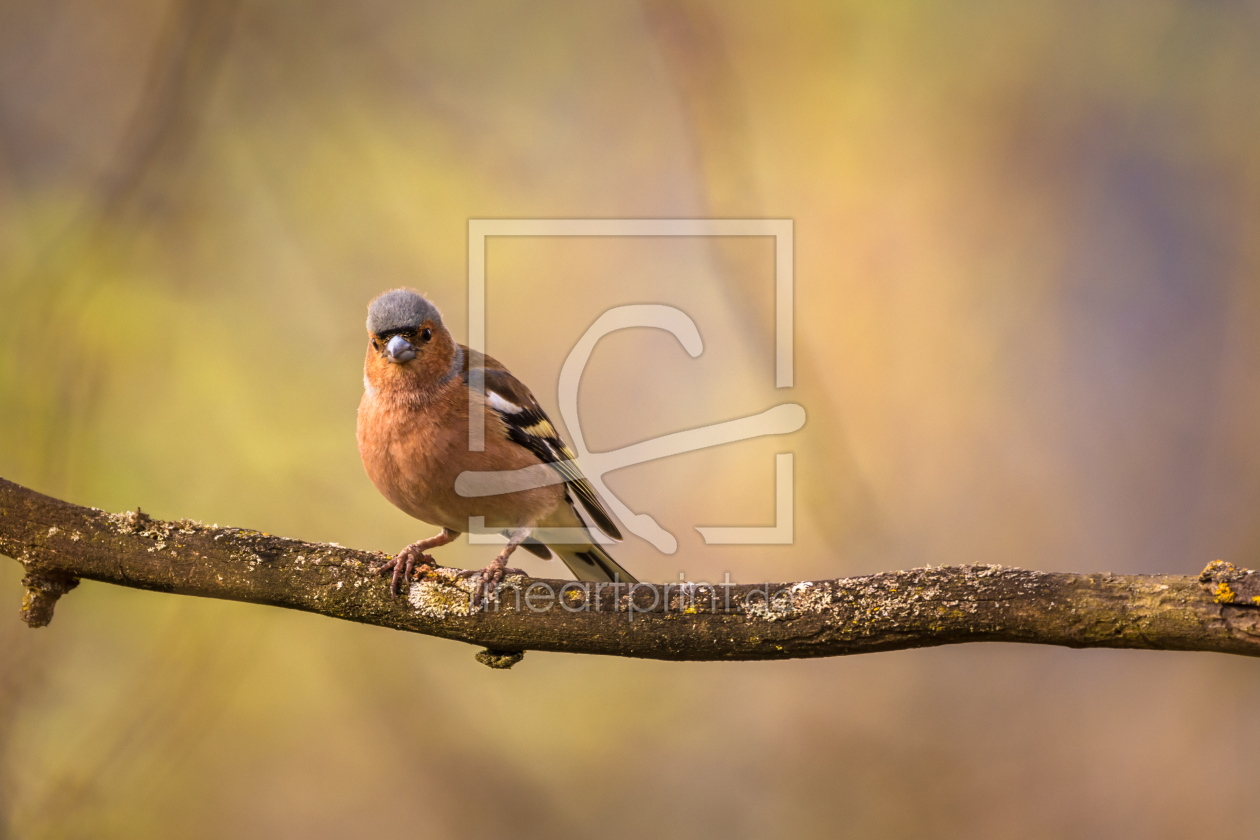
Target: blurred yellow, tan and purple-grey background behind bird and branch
(1028,333)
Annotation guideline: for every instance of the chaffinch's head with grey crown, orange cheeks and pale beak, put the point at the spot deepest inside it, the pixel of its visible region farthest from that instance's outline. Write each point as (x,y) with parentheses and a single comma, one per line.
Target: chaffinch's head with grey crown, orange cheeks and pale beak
(409,348)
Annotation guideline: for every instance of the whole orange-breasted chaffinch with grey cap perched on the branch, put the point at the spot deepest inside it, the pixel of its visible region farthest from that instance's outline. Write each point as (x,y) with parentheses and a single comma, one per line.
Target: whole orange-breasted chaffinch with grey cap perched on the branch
(414,440)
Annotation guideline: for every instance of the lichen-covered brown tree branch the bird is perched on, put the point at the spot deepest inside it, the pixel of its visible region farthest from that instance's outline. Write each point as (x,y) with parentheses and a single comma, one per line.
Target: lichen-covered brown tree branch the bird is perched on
(60,543)
